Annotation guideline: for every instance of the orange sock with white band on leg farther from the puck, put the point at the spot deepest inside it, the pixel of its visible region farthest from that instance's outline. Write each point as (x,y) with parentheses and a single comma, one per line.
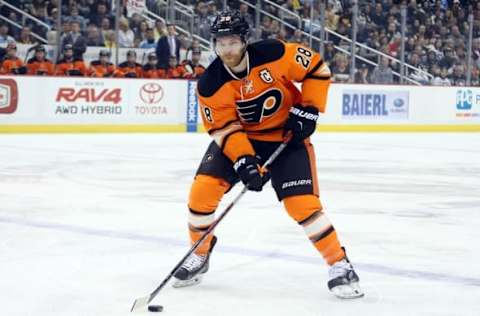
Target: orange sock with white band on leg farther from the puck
(306,210)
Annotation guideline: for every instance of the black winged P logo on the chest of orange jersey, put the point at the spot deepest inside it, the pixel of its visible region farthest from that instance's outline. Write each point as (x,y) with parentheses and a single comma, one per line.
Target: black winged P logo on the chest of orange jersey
(263,105)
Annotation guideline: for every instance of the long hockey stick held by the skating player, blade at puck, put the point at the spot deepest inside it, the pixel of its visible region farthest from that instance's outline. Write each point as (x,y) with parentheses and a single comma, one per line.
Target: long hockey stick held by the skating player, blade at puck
(144,301)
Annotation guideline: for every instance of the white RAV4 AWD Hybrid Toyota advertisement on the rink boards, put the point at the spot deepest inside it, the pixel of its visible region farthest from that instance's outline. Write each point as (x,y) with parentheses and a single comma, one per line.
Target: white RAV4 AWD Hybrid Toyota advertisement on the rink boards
(103,104)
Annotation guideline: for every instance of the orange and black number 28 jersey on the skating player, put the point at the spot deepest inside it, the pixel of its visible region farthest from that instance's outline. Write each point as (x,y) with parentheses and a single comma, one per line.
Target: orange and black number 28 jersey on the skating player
(258,106)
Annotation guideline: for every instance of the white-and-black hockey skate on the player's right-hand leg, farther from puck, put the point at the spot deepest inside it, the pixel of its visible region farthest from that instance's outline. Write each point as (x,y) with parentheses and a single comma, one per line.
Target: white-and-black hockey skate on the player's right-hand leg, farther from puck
(343,281)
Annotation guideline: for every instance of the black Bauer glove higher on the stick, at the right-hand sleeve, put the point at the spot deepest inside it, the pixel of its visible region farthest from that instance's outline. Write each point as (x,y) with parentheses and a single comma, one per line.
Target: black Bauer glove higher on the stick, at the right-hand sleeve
(301,122)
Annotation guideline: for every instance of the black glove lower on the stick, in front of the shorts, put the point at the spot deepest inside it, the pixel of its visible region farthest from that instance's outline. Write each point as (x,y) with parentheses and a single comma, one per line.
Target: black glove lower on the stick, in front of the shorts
(248,169)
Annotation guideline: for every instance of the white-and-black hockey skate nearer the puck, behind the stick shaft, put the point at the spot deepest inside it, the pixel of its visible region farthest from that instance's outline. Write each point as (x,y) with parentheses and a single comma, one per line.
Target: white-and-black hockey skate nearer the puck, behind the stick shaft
(193,269)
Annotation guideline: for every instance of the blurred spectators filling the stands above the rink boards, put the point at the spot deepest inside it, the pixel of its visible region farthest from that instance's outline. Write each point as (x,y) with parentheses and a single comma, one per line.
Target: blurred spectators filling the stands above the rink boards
(435,44)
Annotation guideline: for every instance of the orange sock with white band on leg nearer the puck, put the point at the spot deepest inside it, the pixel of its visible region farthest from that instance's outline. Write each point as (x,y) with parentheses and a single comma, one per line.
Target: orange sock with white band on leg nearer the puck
(205,195)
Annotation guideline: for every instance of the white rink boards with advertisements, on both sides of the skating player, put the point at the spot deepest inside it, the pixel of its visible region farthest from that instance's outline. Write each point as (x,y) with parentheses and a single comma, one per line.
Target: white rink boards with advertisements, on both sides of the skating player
(63,104)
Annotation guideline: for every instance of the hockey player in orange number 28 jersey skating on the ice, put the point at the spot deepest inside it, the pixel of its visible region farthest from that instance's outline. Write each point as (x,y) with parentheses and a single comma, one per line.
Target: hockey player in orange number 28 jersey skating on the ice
(248,103)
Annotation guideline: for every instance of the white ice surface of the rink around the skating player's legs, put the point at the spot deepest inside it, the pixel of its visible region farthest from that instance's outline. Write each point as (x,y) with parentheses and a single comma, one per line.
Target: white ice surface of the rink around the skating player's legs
(88,223)
